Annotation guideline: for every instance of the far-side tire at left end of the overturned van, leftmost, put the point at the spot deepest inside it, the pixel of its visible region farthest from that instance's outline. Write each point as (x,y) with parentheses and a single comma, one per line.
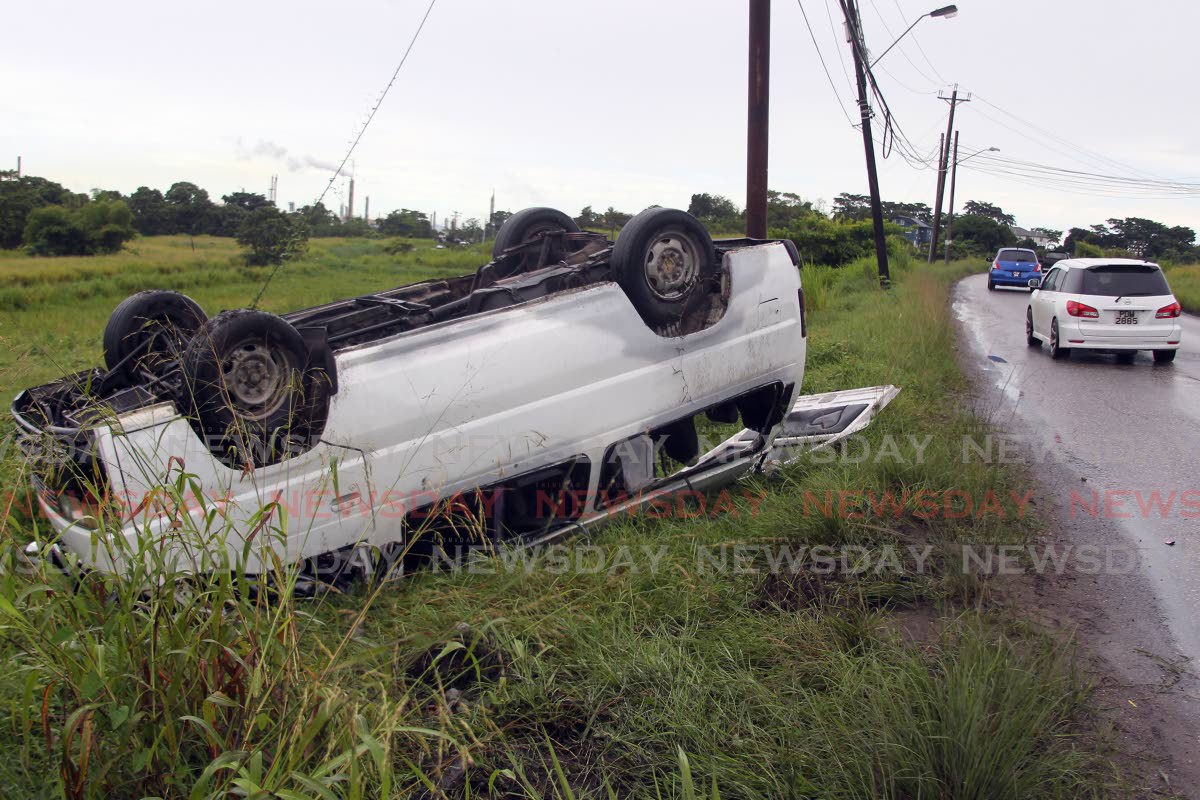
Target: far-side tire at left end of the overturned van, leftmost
(154,328)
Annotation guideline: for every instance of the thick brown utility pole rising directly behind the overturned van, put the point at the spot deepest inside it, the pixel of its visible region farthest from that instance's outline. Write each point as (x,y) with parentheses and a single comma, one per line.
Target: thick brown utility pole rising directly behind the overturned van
(758,117)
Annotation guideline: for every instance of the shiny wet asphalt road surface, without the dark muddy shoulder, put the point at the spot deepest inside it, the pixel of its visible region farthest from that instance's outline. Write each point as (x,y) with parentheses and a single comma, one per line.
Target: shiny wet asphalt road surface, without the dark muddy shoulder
(1123,432)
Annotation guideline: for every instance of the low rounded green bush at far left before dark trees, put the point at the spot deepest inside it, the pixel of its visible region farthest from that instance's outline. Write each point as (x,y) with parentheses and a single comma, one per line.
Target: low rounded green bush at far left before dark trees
(99,227)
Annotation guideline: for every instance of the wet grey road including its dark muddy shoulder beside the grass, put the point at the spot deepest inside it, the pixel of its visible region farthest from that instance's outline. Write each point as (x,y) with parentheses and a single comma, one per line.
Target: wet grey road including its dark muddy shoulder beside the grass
(1103,438)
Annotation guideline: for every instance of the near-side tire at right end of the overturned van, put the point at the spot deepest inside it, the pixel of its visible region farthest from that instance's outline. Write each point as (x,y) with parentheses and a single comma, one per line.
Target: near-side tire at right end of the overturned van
(659,240)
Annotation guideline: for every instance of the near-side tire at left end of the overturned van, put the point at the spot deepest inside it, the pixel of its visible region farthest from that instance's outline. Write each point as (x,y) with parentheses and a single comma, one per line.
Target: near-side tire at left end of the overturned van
(250,390)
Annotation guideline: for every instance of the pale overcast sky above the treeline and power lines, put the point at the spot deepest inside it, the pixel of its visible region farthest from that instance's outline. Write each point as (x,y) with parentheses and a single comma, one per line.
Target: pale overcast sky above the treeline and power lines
(572,104)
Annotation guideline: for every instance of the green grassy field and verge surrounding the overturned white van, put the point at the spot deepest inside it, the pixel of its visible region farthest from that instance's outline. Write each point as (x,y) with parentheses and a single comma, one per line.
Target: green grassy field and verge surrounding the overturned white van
(632,666)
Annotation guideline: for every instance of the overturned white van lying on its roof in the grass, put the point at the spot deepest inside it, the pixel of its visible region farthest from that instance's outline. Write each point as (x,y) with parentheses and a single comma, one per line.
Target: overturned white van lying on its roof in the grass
(545,392)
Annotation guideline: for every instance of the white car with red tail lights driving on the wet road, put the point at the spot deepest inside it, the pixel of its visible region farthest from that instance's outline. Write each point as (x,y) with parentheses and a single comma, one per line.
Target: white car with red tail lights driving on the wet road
(1114,305)
